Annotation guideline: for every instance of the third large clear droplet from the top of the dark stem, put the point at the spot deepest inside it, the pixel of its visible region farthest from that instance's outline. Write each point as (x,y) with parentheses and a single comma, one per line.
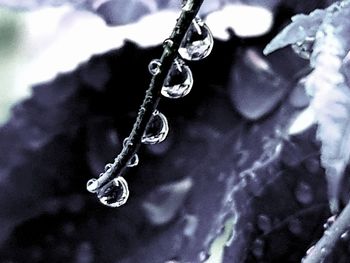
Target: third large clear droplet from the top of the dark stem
(157,129)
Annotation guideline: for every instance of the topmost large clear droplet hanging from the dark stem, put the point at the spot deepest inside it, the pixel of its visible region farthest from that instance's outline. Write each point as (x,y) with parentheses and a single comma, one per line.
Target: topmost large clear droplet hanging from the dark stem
(198,41)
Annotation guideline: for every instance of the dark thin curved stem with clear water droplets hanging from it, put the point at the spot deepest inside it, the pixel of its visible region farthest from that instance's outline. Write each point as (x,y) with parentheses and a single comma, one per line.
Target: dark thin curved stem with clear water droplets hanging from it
(150,102)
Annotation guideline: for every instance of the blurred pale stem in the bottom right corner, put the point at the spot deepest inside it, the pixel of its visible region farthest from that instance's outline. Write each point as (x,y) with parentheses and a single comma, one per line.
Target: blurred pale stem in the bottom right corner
(330,238)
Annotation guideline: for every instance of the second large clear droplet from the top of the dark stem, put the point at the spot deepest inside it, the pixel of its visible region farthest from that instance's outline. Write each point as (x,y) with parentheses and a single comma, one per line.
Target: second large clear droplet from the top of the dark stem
(179,81)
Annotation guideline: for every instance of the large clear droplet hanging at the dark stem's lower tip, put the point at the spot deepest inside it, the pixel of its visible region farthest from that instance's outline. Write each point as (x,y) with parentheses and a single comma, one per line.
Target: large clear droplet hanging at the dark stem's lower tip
(115,193)
